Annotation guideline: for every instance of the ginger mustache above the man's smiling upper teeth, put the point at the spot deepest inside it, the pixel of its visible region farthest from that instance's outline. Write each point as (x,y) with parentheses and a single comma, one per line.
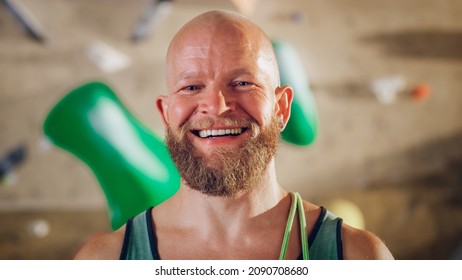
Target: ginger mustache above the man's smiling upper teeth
(208,122)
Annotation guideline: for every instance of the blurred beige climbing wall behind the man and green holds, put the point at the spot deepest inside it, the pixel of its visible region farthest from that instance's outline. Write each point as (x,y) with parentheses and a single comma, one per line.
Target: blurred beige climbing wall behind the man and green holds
(391,163)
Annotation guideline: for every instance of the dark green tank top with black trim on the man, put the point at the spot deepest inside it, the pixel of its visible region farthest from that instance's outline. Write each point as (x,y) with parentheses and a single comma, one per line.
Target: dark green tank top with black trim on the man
(140,242)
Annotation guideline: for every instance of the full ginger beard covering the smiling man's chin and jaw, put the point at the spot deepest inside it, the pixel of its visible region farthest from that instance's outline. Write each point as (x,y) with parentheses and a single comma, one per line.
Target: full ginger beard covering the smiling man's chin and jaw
(228,171)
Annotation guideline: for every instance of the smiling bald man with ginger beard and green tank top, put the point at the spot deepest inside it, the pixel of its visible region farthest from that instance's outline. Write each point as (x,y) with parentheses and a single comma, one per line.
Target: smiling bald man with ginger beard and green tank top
(223,116)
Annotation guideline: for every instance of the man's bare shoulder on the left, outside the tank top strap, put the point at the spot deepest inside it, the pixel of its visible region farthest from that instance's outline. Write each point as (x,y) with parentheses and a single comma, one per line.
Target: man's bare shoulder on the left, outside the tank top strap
(102,246)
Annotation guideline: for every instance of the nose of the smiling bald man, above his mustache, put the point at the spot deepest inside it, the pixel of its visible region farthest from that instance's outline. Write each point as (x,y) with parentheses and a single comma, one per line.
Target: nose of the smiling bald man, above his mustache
(216,102)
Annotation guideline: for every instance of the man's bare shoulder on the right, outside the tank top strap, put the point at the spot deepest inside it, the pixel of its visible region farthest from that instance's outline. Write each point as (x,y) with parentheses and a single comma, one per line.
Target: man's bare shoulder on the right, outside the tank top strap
(363,245)
